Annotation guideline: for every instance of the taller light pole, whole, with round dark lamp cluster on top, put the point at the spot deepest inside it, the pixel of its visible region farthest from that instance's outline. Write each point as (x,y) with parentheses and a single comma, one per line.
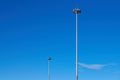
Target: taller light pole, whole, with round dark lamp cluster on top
(76,11)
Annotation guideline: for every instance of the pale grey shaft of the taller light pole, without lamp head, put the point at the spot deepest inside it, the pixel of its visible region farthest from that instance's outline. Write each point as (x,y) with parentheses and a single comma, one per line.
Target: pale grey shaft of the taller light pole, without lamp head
(76,46)
